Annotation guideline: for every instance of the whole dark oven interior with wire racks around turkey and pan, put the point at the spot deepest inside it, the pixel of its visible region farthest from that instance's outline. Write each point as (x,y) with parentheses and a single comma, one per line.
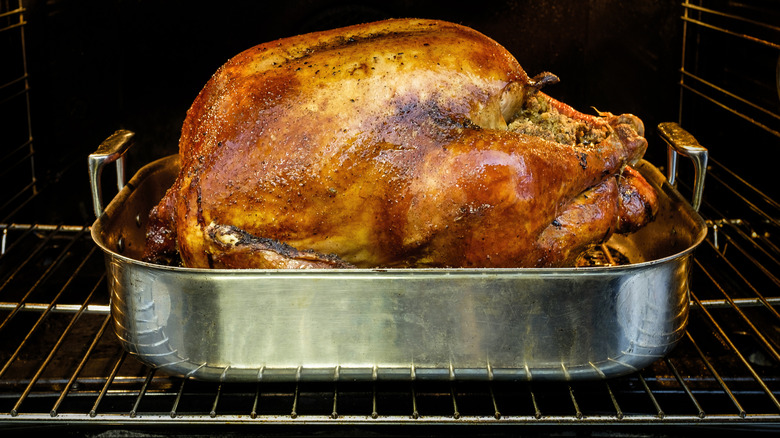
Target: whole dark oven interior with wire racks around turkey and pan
(73,72)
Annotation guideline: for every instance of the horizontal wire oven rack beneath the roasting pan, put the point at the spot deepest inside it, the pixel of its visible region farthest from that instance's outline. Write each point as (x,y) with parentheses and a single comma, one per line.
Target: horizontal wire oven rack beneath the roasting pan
(60,363)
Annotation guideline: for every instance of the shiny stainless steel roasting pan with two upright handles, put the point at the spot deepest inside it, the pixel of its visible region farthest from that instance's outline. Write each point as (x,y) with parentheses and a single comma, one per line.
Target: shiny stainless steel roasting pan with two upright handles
(399,324)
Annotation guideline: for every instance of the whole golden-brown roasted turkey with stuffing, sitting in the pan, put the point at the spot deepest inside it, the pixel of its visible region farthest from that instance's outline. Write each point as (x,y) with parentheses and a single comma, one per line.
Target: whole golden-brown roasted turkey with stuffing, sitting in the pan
(389,144)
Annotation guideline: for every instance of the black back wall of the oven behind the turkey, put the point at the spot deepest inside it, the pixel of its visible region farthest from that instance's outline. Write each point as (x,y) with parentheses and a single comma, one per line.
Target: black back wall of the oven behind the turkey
(100,65)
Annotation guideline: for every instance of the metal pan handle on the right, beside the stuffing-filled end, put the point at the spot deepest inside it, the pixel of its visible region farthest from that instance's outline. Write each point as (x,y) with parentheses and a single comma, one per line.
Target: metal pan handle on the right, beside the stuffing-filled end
(682,142)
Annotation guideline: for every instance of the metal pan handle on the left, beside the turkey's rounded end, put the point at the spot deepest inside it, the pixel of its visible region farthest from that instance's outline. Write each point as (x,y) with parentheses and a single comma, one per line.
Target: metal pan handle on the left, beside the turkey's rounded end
(112,149)
